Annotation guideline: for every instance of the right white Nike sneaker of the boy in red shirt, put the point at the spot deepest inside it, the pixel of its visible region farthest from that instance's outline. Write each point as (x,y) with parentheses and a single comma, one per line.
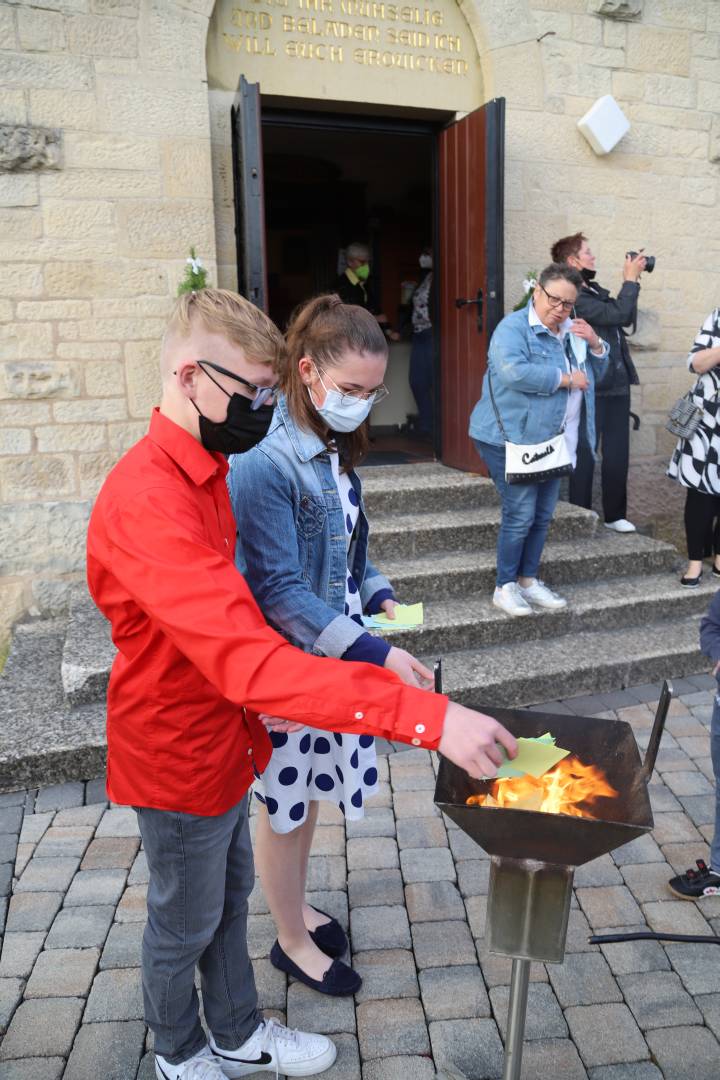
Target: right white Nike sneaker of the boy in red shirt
(276,1049)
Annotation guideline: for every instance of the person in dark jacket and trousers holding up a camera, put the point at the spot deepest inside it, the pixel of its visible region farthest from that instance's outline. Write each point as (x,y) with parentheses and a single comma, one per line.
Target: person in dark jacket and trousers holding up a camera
(608,318)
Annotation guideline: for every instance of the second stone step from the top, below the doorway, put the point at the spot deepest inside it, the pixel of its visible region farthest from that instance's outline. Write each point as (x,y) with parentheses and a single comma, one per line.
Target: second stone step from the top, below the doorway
(404,536)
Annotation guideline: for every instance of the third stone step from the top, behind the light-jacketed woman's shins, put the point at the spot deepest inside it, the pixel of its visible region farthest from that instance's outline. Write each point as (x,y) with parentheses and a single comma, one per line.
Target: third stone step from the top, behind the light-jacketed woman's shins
(463,574)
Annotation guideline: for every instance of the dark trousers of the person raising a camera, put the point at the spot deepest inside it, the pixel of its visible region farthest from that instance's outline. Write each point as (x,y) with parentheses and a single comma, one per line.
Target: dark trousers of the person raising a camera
(613,425)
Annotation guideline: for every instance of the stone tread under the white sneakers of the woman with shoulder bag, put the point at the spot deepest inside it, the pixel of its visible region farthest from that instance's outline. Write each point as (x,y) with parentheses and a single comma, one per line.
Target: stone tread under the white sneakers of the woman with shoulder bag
(616,603)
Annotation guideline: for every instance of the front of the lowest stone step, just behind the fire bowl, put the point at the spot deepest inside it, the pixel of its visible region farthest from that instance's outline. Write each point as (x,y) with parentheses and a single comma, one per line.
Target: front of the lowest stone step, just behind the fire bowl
(588,663)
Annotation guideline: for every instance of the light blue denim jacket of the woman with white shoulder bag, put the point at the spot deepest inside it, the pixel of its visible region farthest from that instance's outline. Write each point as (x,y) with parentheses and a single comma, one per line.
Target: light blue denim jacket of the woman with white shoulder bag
(526,363)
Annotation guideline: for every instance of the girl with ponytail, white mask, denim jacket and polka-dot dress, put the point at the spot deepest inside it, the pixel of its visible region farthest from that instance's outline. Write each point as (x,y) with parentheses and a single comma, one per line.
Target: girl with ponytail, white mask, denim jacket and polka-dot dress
(303,548)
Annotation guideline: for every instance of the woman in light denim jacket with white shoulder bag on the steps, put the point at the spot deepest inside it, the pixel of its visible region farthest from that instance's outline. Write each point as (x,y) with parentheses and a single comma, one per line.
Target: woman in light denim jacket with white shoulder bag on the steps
(541,388)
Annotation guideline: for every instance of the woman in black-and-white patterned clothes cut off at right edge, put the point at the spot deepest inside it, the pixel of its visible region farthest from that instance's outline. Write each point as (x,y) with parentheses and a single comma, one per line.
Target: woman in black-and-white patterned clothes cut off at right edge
(696,463)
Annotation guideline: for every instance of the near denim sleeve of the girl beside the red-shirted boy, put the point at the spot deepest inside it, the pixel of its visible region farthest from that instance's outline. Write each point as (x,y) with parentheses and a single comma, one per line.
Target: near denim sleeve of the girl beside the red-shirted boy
(273,563)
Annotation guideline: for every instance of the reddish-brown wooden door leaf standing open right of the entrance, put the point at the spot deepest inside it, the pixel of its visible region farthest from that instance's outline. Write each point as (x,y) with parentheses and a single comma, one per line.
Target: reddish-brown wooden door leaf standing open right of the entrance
(471,156)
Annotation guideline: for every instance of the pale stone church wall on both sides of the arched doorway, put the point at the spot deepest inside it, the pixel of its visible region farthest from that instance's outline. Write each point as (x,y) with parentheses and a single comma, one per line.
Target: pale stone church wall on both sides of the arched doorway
(106,179)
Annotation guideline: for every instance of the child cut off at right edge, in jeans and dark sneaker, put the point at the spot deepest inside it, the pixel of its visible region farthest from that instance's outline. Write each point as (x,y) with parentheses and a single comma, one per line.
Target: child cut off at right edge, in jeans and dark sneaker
(704,881)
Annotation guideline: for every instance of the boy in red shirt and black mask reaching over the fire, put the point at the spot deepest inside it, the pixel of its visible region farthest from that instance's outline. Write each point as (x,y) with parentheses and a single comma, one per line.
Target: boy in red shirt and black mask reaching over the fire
(196,665)
